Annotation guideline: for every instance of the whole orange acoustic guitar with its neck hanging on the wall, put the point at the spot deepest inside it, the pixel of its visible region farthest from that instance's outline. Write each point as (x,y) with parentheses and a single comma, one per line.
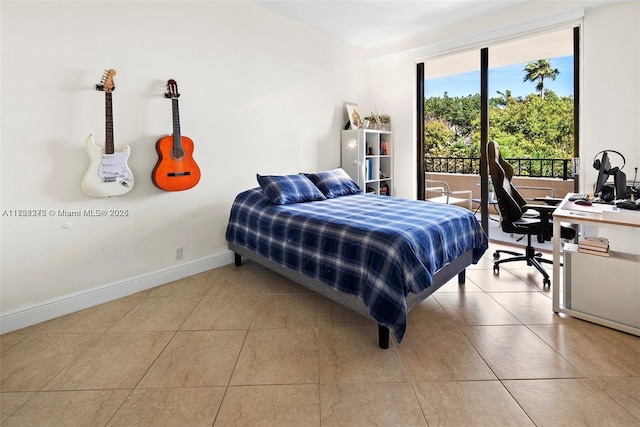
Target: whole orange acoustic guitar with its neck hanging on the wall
(176,170)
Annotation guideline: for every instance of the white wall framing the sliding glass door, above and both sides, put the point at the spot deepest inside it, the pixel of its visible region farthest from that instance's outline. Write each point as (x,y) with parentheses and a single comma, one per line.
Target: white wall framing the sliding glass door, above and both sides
(610,116)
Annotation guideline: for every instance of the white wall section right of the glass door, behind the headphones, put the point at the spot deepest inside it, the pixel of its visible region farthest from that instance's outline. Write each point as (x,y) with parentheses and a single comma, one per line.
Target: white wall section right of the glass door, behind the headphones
(611,87)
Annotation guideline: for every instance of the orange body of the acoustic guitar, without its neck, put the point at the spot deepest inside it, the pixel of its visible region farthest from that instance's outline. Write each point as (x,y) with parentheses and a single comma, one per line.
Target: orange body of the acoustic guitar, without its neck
(176,169)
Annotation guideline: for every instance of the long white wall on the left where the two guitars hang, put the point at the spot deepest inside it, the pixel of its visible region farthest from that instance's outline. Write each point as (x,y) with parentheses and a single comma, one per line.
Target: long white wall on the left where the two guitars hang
(259,93)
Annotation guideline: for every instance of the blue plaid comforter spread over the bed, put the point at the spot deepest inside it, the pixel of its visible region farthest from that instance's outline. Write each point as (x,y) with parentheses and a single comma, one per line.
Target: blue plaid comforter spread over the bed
(378,248)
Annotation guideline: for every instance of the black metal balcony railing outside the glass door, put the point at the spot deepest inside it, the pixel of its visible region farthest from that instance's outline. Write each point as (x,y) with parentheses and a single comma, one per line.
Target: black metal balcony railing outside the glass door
(538,168)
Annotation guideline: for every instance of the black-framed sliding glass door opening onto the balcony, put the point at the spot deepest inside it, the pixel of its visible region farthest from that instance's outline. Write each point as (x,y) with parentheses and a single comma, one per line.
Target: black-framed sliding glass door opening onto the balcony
(521,93)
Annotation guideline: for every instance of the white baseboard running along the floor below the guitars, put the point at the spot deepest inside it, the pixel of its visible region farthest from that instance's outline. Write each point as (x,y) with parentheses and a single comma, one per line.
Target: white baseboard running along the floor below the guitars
(47,310)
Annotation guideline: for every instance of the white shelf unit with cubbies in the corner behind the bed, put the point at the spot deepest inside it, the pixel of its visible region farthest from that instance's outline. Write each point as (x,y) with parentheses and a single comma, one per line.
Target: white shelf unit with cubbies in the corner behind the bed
(367,156)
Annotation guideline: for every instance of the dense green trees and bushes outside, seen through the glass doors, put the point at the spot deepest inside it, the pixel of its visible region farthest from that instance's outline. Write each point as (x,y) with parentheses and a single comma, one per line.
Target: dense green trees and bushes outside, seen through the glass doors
(533,127)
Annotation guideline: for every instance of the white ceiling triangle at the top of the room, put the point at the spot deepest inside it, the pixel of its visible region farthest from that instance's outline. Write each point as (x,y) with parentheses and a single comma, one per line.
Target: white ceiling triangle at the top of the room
(371,23)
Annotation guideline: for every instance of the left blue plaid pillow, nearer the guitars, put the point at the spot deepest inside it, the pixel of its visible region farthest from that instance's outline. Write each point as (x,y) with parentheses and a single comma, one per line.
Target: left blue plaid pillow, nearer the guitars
(285,189)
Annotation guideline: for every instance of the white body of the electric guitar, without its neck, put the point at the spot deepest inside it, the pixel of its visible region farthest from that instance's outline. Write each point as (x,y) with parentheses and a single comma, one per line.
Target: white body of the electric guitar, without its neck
(108,174)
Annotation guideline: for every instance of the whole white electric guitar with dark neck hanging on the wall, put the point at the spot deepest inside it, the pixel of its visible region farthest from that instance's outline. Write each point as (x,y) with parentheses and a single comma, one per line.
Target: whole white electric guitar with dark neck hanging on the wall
(108,174)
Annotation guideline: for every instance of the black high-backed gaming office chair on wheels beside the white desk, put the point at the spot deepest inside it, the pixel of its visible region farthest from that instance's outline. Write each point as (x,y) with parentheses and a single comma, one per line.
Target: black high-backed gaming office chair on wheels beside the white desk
(512,207)
